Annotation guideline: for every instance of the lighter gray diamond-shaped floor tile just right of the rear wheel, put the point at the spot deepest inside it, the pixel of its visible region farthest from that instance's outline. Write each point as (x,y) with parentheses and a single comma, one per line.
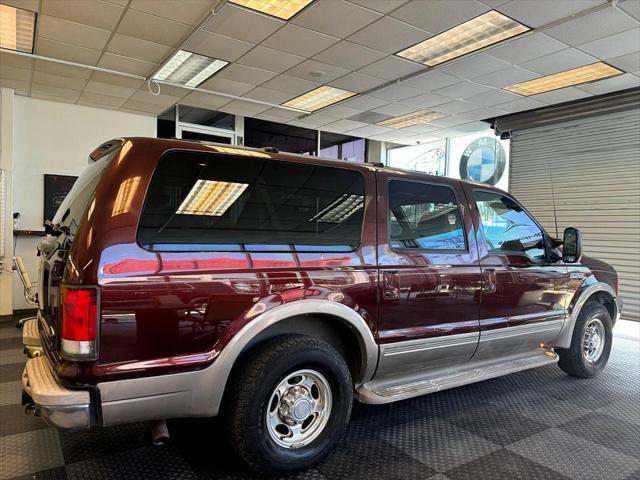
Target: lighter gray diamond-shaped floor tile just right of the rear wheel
(437,443)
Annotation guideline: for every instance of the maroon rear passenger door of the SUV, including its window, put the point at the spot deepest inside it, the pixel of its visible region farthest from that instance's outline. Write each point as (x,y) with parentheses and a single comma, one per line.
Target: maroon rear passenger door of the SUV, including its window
(429,274)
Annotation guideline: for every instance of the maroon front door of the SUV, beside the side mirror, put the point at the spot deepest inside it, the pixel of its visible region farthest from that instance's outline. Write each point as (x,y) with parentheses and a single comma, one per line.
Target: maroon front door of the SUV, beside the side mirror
(524,293)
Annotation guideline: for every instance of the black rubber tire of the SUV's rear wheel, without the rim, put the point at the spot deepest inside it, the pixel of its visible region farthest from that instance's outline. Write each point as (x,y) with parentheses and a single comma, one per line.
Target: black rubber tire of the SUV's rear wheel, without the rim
(249,394)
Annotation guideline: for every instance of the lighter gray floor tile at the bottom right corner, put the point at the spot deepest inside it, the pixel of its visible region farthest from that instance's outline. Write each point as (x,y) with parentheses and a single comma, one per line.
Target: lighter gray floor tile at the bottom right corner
(575,457)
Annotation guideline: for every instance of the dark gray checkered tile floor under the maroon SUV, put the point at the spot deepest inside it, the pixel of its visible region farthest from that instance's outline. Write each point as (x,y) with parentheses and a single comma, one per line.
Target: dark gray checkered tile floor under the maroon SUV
(534,424)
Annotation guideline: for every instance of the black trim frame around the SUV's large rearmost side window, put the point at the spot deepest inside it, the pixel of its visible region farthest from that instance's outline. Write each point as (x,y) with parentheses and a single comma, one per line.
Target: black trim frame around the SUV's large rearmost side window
(242,250)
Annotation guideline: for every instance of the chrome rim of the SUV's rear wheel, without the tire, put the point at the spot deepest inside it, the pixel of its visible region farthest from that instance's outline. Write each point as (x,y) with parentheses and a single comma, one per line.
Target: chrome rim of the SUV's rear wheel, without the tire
(299,409)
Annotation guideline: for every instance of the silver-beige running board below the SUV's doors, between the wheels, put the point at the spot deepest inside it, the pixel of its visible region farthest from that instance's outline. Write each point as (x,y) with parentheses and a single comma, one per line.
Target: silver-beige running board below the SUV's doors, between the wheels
(391,390)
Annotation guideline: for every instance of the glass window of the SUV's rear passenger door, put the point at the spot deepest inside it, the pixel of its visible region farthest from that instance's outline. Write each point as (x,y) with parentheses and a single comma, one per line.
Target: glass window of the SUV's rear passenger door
(424,216)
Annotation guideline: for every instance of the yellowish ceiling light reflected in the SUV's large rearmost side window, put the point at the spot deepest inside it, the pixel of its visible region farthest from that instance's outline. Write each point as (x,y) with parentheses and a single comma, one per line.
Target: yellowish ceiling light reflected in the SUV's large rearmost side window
(210,197)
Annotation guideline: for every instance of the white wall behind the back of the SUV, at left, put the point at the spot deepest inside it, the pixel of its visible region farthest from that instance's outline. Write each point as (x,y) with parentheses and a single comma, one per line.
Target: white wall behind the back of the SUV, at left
(56,138)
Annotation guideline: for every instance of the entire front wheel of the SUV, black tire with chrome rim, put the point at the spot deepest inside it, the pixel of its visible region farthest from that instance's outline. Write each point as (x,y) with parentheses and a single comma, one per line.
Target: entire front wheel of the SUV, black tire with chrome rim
(590,344)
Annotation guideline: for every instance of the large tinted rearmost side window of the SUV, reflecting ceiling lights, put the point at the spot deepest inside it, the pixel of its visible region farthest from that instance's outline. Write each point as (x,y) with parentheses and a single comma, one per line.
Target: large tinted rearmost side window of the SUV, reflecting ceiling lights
(207,202)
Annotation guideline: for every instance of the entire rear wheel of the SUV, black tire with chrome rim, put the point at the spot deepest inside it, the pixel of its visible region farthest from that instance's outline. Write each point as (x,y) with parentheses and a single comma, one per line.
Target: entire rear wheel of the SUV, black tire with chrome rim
(288,404)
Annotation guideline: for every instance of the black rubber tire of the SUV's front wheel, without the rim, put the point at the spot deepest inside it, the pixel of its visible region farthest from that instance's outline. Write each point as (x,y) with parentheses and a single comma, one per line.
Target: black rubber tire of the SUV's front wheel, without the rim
(573,360)
